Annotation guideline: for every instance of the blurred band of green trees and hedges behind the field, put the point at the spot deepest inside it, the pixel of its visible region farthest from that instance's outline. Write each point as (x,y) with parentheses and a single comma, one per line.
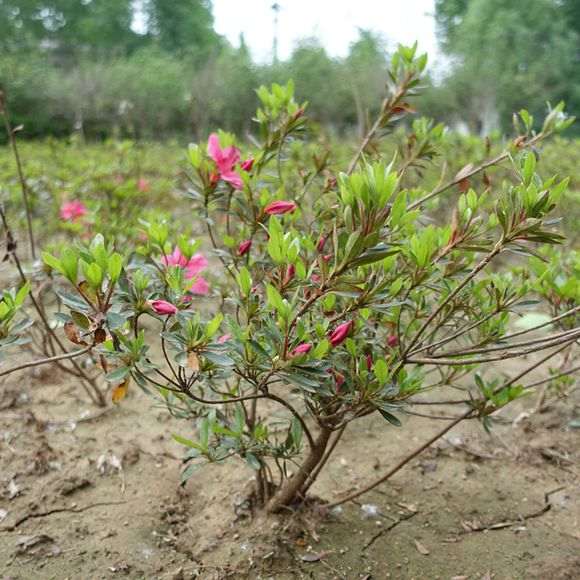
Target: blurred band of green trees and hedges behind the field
(79,66)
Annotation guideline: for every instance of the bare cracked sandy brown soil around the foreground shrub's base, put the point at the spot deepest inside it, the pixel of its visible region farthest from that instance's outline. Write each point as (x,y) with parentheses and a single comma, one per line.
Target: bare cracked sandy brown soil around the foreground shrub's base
(86,495)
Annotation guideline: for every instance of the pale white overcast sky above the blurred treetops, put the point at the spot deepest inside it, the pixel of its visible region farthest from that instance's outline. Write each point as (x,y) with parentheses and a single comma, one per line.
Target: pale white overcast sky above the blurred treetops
(334,22)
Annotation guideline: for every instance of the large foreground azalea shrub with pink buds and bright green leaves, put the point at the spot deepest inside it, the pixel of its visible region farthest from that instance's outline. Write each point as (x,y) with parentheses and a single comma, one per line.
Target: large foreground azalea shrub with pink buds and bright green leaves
(322,295)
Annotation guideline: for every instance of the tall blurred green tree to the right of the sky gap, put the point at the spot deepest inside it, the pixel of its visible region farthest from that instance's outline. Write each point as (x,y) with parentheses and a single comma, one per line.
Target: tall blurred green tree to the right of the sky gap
(506,55)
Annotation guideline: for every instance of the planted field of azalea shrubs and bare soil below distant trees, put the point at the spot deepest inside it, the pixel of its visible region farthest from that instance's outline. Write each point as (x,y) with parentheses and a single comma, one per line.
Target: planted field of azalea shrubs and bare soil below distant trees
(293,356)
